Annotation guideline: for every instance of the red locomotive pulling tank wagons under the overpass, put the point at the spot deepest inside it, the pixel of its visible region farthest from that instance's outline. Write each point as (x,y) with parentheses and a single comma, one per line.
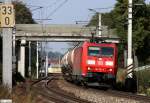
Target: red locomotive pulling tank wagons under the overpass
(91,62)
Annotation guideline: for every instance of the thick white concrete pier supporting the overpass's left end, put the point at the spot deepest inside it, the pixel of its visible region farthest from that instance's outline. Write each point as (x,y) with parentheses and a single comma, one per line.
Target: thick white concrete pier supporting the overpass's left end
(21,61)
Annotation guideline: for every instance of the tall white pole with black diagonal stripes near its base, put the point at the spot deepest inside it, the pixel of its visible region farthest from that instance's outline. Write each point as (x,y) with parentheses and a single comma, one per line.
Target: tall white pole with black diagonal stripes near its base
(130,59)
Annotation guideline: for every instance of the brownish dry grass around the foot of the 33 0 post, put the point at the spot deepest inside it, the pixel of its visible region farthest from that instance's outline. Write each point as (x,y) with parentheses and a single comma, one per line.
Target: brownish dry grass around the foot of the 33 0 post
(19,94)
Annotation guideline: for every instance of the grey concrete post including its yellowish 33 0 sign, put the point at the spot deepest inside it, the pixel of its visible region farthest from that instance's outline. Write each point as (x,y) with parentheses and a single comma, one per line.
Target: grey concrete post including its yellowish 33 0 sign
(7,23)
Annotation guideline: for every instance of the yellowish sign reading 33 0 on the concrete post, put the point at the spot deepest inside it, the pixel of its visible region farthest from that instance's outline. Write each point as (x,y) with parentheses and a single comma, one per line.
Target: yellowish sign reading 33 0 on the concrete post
(7,17)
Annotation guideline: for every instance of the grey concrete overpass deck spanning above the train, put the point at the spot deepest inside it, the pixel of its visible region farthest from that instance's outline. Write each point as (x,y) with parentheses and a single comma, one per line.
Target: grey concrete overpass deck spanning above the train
(57,32)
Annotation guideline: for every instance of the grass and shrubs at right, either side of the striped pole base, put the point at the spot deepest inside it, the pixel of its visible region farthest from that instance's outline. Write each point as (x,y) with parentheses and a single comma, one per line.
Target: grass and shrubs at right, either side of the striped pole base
(143,80)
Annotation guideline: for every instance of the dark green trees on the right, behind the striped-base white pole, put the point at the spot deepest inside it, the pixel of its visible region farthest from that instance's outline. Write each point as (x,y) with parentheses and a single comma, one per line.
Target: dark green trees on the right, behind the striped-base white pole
(118,19)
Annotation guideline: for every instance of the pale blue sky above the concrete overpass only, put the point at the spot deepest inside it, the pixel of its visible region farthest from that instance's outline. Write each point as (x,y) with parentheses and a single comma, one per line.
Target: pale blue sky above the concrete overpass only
(71,11)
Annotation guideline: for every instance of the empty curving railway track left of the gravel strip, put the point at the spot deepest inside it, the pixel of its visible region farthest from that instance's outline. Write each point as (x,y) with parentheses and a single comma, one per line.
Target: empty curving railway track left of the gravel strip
(49,91)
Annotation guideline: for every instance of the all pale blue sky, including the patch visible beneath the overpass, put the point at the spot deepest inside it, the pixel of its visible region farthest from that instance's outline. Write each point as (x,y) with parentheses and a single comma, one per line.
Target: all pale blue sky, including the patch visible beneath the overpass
(66,12)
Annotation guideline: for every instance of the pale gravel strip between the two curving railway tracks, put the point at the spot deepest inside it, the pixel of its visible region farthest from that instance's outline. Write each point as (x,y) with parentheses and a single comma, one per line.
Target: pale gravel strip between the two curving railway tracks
(93,95)
